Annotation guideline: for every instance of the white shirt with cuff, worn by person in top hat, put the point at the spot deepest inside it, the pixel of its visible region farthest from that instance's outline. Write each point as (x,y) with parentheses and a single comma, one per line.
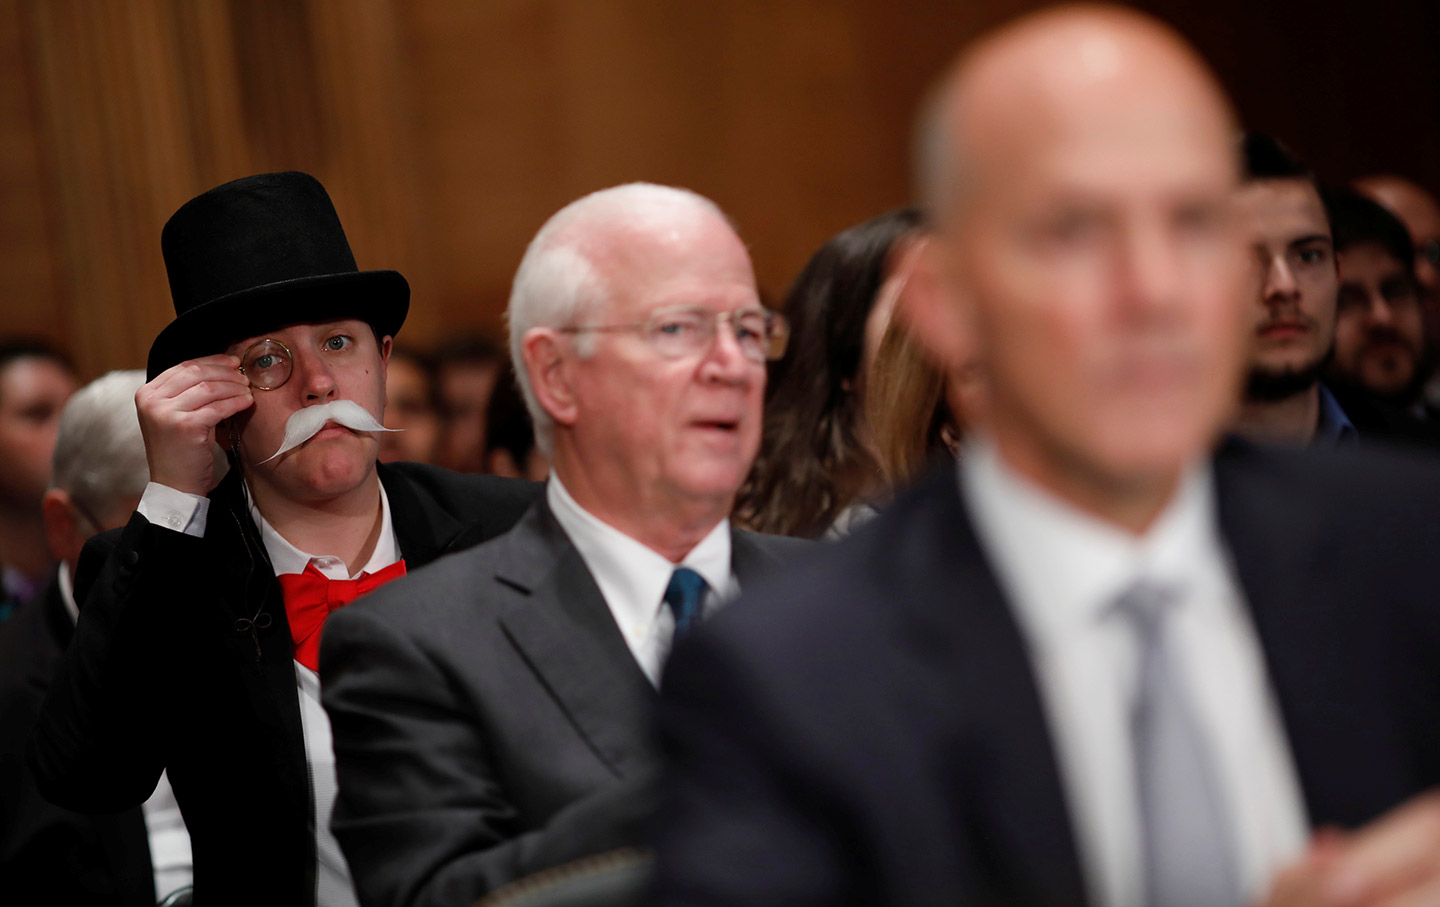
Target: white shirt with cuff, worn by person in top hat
(188,513)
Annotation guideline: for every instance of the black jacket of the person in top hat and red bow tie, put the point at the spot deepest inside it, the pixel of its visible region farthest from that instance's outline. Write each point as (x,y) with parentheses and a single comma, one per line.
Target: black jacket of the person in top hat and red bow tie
(184,662)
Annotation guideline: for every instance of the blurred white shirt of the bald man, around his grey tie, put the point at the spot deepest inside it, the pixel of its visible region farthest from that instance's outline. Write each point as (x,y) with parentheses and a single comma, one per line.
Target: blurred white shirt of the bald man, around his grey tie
(1063,571)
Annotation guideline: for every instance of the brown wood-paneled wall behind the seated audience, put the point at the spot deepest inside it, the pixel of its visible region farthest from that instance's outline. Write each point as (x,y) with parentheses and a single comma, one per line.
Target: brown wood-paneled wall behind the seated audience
(449,130)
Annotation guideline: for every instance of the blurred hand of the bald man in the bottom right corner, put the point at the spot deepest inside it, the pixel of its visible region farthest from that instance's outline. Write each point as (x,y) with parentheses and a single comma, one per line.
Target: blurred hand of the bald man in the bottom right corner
(1393,862)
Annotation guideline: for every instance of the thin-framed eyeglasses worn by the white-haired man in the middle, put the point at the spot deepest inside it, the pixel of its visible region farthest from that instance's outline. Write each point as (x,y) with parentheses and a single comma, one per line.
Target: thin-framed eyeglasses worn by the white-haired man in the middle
(682,332)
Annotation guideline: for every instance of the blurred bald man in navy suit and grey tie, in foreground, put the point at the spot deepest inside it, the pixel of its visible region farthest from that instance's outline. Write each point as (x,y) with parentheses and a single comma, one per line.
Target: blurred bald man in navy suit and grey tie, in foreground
(1095,663)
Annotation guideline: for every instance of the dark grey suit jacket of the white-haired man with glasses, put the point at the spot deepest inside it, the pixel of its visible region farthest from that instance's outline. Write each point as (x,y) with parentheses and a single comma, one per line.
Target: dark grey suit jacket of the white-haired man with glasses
(490,719)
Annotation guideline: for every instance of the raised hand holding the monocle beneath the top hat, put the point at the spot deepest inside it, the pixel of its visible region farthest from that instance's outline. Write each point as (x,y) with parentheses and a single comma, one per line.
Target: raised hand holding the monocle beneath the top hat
(178,417)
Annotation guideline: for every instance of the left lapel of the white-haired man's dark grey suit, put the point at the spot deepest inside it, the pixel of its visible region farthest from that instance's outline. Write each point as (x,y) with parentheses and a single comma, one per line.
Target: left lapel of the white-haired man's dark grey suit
(568,636)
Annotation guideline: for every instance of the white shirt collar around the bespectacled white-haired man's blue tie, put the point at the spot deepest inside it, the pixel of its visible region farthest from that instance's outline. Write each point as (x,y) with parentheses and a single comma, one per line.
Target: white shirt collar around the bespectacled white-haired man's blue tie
(634,572)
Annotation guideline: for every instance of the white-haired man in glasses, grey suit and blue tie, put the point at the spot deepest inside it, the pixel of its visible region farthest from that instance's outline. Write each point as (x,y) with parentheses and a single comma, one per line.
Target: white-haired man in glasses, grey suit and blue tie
(492,712)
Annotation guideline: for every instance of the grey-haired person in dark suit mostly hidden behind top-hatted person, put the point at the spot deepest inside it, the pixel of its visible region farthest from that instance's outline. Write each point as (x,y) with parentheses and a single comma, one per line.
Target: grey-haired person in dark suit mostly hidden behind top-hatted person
(74,859)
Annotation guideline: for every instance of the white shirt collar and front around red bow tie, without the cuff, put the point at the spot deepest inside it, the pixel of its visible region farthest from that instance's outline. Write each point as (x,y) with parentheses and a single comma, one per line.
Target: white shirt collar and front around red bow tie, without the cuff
(333,883)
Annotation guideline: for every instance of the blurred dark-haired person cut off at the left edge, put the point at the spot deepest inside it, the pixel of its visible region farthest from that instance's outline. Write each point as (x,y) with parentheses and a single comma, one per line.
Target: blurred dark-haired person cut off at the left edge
(35,382)
